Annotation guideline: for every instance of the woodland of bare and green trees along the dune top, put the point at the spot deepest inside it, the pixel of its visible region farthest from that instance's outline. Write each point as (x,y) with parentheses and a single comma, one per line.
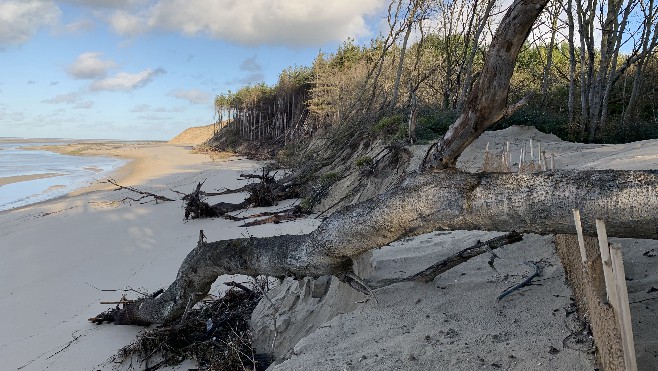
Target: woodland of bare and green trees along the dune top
(588,72)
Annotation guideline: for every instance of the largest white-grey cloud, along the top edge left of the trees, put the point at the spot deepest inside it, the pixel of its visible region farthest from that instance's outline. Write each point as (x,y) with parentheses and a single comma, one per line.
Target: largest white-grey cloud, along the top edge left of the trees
(289,22)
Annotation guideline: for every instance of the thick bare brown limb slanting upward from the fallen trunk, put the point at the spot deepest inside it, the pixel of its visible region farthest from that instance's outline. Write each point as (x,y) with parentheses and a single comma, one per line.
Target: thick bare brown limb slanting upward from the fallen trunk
(487,102)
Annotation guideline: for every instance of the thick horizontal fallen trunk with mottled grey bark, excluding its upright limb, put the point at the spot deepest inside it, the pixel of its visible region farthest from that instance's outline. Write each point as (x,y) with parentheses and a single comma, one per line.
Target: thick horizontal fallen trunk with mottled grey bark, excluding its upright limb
(446,200)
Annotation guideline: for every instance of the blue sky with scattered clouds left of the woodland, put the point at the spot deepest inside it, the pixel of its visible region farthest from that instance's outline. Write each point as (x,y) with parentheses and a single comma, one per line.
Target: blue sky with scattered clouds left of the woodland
(148,69)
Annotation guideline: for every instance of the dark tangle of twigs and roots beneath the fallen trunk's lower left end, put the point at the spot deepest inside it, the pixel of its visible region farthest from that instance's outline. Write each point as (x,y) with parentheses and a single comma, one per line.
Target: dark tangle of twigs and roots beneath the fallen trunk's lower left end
(214,333)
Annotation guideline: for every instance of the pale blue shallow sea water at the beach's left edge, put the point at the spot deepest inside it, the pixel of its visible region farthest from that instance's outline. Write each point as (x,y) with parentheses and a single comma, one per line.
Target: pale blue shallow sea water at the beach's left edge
(57,174)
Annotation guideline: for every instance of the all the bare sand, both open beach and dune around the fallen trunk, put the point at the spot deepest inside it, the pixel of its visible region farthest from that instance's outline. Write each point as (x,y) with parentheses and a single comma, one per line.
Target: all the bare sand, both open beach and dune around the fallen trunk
(59,257)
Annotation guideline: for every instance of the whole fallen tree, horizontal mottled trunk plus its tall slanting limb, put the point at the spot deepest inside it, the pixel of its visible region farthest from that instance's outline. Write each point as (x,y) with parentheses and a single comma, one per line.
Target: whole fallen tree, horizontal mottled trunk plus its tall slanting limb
(436,197)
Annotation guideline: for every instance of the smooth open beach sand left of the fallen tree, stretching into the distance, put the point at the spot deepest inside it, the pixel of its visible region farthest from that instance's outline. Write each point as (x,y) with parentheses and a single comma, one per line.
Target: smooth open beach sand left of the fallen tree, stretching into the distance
(59,255)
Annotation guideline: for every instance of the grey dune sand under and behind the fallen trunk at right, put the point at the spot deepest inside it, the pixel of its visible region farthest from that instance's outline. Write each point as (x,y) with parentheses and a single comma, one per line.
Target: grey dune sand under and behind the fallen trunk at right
(456,322)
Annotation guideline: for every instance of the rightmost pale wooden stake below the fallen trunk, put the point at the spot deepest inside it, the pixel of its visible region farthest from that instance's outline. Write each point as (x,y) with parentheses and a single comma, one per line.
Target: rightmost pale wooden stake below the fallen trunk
(624,311)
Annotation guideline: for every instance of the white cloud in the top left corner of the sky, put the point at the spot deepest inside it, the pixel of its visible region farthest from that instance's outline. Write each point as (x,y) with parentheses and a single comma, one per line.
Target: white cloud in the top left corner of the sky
(22,19)
